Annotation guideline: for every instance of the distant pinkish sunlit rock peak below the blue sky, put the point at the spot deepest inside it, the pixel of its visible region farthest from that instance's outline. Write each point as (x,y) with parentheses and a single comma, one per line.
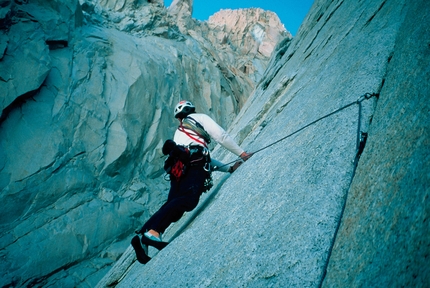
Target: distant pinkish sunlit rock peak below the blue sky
(230,30)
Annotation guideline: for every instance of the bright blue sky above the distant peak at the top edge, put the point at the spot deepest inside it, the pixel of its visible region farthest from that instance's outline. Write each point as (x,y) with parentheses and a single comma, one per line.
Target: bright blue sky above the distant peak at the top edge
(291,12)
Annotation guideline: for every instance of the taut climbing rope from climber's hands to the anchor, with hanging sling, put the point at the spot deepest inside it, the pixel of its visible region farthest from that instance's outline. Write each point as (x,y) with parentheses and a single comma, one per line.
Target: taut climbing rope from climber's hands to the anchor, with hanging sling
(360,137)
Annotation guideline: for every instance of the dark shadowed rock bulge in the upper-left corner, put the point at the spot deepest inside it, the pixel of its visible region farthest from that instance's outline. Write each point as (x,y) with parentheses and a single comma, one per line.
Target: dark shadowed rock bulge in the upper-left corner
(27,32)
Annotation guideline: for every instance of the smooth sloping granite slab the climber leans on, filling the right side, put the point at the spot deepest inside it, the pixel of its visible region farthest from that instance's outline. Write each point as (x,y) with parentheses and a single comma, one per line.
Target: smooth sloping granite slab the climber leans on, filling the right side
(302,212)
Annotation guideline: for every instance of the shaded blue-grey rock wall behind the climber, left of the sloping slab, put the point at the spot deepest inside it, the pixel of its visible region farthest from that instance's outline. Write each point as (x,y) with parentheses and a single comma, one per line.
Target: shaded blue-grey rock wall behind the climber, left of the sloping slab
(87,91)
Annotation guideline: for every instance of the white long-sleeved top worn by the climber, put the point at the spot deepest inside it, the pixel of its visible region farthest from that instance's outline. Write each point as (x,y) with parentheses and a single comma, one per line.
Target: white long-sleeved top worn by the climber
(216,132)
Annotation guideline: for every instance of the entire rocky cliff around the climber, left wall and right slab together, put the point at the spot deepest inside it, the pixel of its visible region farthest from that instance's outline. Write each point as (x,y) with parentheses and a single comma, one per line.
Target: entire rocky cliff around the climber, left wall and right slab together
(307,210)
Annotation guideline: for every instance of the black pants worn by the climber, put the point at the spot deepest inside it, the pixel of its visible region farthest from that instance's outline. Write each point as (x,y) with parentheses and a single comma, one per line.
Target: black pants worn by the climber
(183,197)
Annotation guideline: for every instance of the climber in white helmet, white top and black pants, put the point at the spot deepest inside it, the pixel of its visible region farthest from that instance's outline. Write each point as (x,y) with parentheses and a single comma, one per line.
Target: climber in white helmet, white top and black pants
(189,166)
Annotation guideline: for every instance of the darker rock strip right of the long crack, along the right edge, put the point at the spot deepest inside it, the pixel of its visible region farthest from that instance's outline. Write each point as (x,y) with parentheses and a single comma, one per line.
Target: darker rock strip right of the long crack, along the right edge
(384,236)
